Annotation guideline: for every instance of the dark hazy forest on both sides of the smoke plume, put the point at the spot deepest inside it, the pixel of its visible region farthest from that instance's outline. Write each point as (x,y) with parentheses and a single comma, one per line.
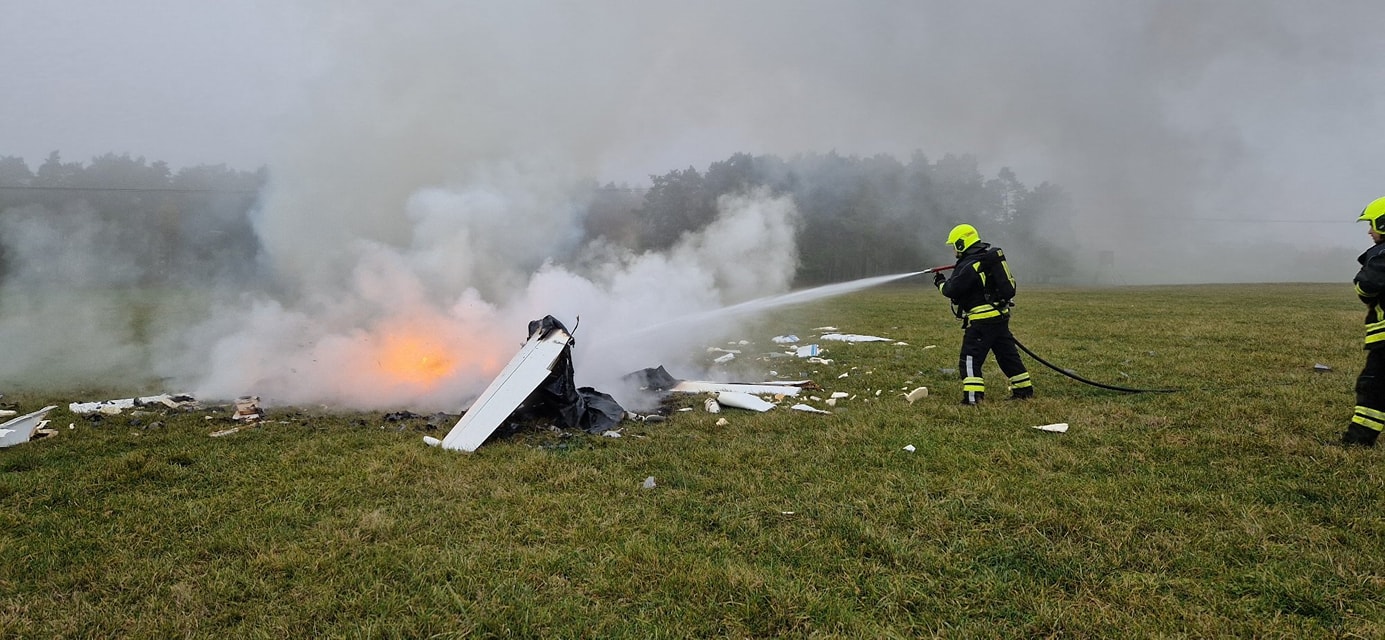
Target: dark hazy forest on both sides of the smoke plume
(859,217)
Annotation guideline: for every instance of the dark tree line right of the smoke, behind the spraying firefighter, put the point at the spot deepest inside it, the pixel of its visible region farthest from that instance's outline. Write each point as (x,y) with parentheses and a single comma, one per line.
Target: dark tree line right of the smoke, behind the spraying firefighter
(859,217)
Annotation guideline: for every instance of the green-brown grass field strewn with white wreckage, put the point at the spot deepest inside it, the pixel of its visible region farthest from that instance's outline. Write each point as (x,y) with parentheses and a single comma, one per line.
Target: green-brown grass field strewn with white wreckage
(1226,509)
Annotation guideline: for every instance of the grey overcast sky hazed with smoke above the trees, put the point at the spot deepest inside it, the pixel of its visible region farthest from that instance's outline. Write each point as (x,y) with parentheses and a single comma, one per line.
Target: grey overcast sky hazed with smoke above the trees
(1257,112)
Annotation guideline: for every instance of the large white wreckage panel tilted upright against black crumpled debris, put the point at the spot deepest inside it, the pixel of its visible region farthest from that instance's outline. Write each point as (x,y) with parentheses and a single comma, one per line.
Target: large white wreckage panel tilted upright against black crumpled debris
(526,372)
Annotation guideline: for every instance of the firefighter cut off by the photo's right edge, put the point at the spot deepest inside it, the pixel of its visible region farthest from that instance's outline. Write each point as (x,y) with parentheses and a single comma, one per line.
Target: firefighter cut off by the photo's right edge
(1370,285)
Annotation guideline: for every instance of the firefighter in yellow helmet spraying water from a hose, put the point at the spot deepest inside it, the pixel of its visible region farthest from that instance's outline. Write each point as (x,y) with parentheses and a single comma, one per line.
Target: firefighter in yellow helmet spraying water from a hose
(981,289)
